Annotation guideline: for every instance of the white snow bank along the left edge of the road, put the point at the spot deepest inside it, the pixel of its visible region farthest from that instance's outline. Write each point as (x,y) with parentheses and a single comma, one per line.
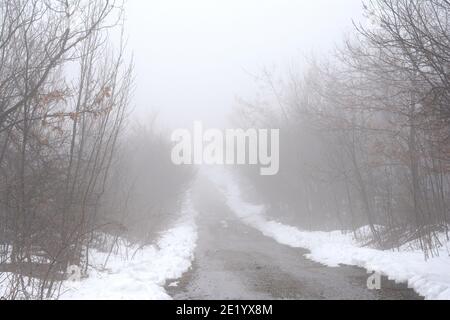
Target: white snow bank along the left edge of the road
(145,272)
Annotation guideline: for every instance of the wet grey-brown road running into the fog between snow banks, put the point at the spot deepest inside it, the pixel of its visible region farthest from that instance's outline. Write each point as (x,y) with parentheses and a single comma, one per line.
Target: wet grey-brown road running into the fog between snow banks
(234,261)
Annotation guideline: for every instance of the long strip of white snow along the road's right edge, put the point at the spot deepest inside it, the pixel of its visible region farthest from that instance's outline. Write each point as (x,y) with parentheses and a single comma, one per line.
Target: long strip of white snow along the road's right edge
(430,279)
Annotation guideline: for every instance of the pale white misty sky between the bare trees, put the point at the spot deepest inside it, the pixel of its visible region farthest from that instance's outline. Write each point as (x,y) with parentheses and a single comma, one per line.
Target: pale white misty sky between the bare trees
(194,57)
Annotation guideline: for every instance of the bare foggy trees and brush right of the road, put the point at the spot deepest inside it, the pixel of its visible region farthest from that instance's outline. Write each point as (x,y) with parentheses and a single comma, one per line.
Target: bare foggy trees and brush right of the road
(365,132)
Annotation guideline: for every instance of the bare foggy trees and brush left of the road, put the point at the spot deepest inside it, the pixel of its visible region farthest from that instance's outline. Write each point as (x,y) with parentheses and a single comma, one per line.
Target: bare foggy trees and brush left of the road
(68,181)
